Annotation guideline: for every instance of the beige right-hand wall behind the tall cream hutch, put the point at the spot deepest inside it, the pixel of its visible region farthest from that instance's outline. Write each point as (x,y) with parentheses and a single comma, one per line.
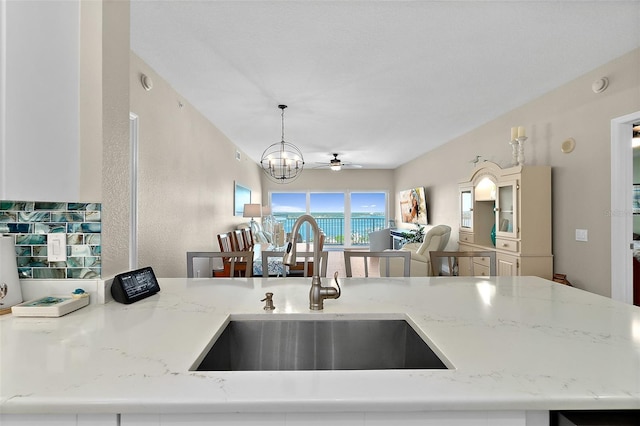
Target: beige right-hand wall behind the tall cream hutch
(581,180)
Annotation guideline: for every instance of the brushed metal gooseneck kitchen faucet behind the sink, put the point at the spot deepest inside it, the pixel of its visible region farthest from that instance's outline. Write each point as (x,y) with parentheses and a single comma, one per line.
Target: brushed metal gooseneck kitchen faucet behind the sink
(317,294)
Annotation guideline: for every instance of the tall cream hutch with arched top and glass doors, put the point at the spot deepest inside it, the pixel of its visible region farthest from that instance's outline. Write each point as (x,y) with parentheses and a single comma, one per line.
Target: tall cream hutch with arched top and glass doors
(509,211)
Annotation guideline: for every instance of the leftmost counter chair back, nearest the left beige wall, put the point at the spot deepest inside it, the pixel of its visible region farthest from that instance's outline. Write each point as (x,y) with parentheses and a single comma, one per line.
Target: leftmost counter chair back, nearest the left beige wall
(220,264)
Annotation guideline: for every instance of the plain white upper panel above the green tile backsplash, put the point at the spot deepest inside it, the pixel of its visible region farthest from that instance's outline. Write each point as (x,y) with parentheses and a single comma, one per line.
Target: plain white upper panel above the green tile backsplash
(39,152)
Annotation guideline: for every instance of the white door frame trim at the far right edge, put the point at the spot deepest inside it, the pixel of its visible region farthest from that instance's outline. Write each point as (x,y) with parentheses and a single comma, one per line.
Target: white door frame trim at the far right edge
(621,214)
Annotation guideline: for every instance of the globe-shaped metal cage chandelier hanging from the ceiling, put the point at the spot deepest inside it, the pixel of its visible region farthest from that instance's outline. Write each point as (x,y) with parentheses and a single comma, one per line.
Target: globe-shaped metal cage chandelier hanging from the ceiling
(282,162)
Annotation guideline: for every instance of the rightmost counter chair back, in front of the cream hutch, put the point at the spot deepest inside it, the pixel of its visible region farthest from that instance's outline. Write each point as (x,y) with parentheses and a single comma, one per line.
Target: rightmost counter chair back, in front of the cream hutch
(464,263)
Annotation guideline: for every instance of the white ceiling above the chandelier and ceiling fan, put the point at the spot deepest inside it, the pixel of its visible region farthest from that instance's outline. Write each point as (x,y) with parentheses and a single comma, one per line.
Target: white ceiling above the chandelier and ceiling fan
(377,81)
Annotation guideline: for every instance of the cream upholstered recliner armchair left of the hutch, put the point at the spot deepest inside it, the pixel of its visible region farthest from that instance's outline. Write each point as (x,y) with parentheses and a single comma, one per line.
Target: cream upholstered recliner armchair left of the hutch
(435,239)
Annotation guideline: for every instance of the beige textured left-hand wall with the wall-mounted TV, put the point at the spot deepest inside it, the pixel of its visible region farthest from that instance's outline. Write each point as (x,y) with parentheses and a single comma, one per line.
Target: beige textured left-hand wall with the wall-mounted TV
(186,175)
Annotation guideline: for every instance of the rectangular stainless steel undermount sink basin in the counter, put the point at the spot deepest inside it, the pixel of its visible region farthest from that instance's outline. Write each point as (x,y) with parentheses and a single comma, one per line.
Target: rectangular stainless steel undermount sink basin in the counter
(263,345)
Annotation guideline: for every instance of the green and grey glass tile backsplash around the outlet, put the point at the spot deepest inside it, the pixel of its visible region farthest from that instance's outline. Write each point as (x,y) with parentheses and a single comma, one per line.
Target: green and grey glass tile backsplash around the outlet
(30,222)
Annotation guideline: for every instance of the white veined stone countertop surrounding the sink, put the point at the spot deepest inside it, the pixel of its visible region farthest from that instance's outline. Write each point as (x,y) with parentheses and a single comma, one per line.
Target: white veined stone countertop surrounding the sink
(520,343)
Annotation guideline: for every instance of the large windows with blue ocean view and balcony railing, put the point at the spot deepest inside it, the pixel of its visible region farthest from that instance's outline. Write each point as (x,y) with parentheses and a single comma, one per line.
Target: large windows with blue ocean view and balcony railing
(345,218)
